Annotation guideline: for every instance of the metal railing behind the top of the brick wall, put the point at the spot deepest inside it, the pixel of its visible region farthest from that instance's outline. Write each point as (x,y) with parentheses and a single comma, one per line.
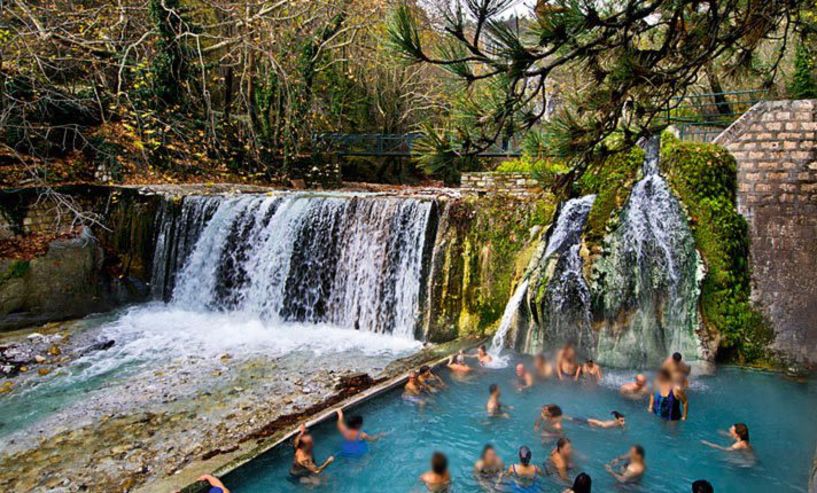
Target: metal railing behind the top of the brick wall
(702,117)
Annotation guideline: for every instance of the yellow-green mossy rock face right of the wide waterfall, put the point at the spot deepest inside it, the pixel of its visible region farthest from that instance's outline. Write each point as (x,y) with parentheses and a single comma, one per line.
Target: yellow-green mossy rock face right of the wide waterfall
(482,247)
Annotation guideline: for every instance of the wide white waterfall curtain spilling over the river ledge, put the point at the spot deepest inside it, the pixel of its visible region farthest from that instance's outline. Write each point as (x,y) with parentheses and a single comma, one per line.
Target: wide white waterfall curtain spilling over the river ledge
(350,261)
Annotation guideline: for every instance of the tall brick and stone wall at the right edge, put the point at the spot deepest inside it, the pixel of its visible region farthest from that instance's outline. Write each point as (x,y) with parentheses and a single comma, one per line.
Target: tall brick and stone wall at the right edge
(775,146)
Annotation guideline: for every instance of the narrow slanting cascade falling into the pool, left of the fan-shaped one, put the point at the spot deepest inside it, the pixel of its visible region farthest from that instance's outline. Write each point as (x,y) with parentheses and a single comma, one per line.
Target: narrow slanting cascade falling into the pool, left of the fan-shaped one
(557,273)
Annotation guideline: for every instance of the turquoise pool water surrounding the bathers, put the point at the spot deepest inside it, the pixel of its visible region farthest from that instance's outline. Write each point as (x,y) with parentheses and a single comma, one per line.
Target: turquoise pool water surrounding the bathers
(779,412)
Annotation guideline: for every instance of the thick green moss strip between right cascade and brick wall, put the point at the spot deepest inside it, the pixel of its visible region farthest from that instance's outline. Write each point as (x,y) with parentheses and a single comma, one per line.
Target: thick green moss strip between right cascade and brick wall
(704,178)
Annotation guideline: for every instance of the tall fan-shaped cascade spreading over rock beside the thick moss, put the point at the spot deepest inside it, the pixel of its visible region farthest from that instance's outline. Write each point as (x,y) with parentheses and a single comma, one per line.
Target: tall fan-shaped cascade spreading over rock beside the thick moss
(645,289)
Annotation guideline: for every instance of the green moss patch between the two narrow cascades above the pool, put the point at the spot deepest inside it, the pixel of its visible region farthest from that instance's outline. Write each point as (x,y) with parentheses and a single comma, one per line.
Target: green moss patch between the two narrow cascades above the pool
(611,181)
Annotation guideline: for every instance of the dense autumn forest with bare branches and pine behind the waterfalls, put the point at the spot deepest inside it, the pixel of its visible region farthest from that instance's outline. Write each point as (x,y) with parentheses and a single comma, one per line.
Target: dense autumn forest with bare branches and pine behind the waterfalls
(143,91)
